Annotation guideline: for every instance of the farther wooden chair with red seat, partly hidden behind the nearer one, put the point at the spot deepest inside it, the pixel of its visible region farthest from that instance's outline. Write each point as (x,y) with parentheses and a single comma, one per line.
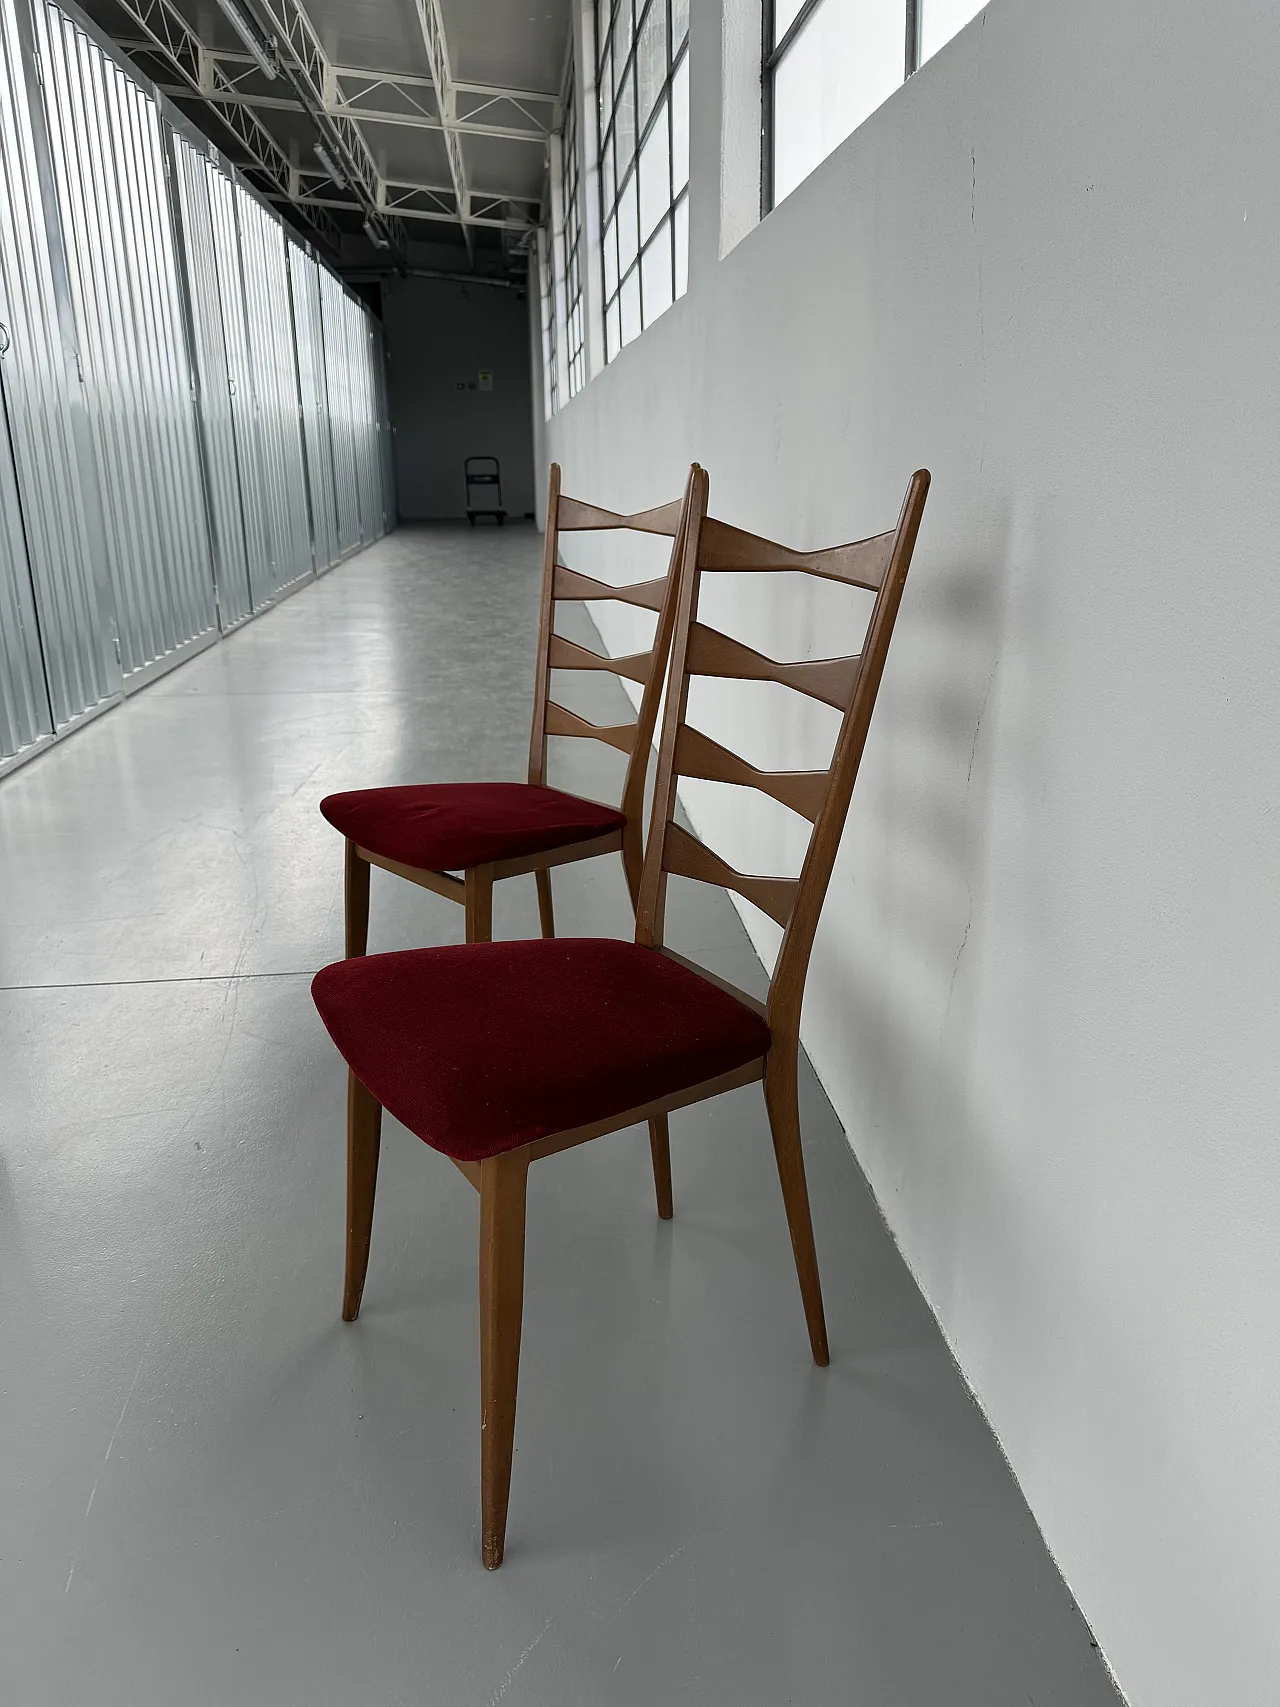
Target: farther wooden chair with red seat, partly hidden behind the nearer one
(491,830)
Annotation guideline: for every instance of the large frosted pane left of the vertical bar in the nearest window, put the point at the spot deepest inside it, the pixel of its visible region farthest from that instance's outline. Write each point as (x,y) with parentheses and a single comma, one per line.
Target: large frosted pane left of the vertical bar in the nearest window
(844,64)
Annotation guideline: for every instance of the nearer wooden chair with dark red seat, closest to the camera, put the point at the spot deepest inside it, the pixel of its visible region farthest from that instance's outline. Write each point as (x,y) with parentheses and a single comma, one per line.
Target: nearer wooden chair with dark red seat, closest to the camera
(504,1054)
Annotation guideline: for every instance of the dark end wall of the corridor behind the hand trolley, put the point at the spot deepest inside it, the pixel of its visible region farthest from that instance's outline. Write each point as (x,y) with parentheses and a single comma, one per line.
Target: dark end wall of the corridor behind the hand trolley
(458,385)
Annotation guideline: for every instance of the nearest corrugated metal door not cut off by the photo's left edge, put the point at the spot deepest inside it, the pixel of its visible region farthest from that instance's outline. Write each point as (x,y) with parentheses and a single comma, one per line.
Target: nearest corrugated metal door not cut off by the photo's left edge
(108,163)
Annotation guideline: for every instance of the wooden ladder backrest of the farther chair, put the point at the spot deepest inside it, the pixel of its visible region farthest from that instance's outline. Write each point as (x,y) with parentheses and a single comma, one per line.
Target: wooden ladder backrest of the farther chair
(649,668)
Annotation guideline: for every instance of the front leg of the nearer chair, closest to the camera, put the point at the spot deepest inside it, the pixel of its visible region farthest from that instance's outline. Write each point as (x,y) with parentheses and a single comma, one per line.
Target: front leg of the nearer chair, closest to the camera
(503,1182)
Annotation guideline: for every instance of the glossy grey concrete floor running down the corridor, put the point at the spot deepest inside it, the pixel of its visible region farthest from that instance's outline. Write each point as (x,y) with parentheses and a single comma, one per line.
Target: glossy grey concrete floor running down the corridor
(212,1491)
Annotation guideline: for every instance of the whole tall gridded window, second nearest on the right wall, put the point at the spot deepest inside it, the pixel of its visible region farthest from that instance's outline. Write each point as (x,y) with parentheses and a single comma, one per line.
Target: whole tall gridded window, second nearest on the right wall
(643,86)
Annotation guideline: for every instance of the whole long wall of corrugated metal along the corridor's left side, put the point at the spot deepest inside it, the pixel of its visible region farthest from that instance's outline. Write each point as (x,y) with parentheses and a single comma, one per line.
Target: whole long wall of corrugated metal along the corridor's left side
(190,416)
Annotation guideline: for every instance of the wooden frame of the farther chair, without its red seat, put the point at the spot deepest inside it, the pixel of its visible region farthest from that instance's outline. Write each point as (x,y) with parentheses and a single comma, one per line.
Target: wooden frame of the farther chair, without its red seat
(561,585)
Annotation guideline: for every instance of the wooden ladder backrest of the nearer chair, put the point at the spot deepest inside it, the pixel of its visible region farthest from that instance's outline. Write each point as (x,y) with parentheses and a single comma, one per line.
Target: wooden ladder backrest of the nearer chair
(822,796)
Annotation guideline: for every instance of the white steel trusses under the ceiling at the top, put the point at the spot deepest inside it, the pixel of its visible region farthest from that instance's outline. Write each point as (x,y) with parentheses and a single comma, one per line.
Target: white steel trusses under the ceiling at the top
(340,102)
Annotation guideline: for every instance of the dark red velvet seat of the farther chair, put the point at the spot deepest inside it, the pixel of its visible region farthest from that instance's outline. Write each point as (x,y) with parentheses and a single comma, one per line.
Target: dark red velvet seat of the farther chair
(455,825)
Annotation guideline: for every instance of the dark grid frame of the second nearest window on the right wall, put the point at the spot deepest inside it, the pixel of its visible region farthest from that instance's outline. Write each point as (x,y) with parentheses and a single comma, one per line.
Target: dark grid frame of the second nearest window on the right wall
(614,194)
